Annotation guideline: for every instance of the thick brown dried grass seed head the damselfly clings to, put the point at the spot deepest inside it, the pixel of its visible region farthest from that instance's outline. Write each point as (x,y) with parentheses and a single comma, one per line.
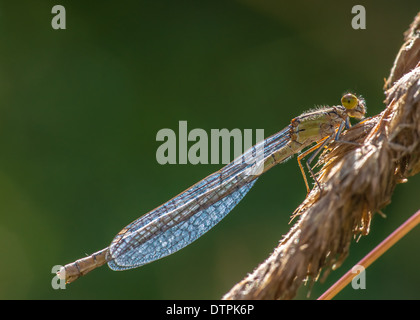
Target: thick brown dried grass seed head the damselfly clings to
(357,182)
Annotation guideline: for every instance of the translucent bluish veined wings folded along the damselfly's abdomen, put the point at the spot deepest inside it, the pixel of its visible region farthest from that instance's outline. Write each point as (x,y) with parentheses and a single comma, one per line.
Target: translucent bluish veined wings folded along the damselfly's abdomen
(185,218)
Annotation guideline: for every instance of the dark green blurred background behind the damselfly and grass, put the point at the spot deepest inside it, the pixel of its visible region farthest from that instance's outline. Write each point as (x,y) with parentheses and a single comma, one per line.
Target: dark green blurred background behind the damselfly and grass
(80,109)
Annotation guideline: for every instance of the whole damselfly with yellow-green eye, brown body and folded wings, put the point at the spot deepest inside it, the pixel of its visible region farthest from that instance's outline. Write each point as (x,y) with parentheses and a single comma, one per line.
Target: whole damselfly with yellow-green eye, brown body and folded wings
(183,219)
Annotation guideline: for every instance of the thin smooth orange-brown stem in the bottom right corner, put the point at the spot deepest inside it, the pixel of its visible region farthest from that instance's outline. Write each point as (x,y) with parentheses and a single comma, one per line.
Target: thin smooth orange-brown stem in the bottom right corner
(380,249)
